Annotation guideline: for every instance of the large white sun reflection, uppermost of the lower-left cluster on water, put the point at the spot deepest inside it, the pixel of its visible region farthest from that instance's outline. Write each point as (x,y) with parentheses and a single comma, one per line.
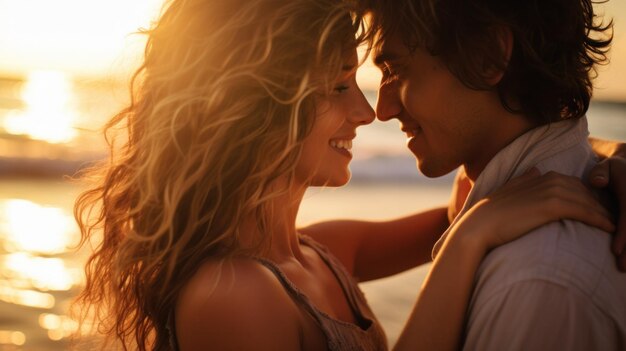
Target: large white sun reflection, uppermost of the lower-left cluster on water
(30,227)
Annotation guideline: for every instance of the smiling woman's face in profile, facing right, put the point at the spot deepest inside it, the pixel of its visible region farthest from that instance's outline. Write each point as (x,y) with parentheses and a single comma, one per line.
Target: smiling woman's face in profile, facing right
(327,151)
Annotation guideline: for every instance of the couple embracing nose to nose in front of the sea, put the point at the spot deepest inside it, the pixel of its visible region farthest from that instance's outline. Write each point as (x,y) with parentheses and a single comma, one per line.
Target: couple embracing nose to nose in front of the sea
(242,105)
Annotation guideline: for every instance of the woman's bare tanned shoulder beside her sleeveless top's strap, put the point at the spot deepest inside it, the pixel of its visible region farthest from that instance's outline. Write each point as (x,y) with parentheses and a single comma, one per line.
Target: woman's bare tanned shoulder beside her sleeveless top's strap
(236,304)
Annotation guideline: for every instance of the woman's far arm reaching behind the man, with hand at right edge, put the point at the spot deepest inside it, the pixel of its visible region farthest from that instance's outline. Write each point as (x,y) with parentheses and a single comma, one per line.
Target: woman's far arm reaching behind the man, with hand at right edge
(372,250)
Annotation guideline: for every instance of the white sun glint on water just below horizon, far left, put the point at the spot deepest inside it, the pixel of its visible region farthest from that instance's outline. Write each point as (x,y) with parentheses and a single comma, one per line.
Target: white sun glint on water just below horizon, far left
(49,114)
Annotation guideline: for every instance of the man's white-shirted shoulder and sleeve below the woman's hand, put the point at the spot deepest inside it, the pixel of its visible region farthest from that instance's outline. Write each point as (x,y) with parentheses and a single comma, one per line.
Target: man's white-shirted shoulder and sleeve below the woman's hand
(551,275)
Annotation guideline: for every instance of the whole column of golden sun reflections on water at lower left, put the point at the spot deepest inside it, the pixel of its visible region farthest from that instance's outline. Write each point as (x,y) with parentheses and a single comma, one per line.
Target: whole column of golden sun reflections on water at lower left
(38,272)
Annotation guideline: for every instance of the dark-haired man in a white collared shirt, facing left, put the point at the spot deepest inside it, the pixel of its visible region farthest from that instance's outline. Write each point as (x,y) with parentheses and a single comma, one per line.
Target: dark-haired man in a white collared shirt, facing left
(499,87)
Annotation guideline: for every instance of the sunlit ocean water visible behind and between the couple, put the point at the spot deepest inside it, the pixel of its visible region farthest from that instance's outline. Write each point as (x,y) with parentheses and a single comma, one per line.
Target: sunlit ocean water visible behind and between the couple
(40,273)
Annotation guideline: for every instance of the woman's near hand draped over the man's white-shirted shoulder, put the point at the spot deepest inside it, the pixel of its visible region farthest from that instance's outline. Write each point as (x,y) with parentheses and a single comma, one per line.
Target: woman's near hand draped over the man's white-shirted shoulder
(528,202)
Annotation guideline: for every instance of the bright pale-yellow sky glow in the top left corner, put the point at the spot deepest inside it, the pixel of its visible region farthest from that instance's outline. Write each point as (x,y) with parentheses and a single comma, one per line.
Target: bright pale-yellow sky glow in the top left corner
(86,38)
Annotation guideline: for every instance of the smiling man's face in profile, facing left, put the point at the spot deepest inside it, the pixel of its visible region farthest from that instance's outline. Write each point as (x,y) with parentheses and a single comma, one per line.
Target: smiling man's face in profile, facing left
(447,124)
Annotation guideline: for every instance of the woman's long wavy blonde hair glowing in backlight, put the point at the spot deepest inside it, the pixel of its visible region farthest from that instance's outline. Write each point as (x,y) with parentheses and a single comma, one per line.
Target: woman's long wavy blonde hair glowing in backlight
(218,112)
